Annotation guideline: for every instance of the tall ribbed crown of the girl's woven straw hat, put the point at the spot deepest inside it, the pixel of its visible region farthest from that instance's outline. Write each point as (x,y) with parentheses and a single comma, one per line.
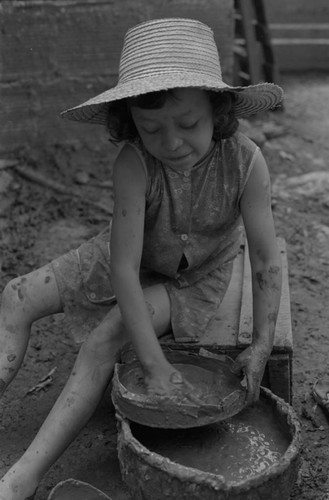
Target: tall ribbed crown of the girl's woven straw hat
(168,46)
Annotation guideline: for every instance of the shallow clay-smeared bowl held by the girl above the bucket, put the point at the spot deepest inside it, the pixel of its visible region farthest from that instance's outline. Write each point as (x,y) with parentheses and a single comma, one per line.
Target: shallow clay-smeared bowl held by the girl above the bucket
(219,389)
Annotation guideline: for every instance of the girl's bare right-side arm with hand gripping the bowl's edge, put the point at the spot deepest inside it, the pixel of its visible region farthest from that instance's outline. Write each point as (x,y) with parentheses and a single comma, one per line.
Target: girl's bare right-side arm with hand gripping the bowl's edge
(266,274)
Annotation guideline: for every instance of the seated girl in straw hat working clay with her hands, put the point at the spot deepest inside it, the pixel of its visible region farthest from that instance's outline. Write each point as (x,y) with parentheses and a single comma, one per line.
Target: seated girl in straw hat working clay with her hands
(184,180)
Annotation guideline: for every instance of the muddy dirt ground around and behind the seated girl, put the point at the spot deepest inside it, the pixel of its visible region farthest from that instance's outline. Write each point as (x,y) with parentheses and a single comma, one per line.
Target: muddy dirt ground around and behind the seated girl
(39,223)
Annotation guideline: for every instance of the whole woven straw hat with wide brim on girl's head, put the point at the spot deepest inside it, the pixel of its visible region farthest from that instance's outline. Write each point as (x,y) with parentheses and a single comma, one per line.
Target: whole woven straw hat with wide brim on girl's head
(170,53)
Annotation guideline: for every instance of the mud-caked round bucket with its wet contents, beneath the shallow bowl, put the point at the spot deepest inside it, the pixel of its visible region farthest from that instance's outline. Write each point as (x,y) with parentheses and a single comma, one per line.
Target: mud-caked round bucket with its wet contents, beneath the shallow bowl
(254,455)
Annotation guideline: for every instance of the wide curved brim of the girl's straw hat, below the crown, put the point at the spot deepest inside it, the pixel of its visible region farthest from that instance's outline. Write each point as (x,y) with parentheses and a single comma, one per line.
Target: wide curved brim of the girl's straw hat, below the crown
(249,100)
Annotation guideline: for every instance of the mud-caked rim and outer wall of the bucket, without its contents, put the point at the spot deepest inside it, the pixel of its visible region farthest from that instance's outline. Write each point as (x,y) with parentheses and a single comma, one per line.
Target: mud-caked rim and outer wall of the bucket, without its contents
(150,476)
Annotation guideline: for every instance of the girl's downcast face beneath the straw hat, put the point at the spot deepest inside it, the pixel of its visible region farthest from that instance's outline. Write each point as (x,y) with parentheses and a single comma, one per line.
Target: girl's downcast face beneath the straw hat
(180,133)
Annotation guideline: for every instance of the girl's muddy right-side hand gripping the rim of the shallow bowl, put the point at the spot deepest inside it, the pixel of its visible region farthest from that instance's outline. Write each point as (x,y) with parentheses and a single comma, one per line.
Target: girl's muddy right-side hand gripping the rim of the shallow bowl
(252,362)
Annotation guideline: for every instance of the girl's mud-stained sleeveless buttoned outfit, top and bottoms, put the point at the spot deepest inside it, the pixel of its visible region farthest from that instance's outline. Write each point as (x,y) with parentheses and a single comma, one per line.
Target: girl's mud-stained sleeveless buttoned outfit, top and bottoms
(193,231)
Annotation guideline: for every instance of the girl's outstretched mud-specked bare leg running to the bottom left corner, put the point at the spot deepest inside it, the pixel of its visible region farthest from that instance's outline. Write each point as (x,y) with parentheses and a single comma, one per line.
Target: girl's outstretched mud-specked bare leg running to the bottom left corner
(79,398)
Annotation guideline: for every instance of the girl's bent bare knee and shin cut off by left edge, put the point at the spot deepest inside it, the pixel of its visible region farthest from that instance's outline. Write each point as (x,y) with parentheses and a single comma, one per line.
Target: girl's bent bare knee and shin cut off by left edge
(24,300)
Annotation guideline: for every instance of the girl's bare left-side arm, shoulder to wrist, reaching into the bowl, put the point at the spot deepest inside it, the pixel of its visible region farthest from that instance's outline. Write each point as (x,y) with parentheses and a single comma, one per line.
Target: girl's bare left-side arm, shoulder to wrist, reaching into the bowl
(126,250)
